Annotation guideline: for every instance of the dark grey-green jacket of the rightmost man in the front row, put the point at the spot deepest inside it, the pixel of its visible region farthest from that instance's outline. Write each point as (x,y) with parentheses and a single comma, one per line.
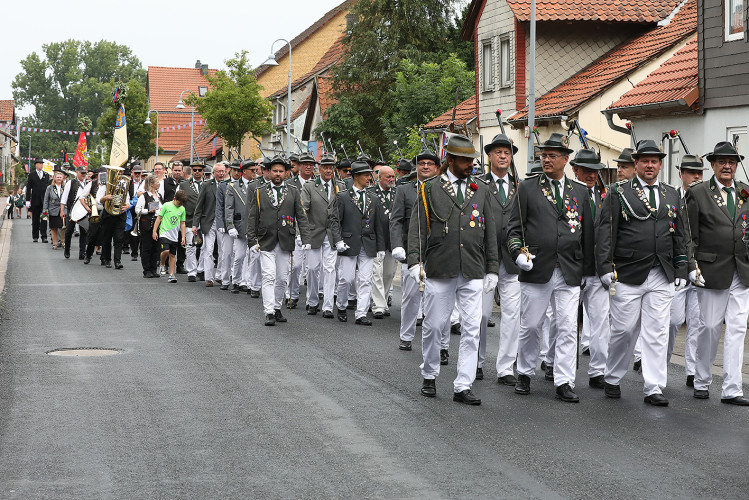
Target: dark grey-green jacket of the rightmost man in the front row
(717,242)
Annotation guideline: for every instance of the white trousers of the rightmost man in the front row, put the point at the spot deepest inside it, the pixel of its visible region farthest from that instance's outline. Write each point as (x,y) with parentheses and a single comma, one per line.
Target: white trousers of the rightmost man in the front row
(715,306)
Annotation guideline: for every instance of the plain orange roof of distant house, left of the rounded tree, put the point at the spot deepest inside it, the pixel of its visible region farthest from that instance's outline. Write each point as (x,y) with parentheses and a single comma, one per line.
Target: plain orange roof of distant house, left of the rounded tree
(166,84)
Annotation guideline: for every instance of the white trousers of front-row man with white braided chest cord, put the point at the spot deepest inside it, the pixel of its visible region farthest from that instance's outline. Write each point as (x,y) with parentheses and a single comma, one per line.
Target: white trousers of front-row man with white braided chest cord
(640,310)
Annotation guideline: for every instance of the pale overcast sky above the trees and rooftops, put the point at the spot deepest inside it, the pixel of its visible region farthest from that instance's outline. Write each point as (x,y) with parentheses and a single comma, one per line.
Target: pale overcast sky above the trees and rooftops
(160,32)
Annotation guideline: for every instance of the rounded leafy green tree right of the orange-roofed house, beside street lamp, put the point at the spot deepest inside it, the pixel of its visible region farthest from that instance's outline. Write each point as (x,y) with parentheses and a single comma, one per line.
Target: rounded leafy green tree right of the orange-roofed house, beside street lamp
(233,107)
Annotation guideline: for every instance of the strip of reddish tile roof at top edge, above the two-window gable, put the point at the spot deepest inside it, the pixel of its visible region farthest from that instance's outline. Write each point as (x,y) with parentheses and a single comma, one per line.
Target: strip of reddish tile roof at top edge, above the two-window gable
(636,11)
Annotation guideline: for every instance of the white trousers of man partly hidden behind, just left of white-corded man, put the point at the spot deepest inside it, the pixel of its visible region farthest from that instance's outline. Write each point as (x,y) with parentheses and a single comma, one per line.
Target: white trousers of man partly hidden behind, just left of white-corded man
(595,299)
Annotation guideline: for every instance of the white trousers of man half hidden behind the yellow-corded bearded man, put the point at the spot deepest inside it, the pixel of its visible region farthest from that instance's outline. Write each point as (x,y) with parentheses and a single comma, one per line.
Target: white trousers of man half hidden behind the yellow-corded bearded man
(509,321)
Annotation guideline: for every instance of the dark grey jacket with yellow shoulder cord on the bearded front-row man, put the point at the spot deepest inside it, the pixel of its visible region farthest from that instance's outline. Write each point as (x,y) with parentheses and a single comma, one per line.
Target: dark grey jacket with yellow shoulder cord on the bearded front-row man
(455,238)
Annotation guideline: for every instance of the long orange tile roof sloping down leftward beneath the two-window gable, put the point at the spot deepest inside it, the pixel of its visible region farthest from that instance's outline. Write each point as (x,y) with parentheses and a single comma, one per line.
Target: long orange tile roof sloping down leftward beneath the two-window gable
(613,66)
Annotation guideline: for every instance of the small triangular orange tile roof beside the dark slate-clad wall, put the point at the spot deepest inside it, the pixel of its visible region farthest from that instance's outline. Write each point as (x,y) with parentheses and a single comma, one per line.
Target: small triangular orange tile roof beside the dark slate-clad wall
(675,80)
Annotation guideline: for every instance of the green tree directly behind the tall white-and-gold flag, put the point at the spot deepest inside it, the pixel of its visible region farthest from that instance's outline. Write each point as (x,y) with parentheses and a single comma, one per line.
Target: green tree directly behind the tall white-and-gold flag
(139,135)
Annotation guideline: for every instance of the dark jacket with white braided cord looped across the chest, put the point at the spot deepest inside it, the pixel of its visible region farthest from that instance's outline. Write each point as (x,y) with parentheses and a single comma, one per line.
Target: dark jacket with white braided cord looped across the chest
(637,245)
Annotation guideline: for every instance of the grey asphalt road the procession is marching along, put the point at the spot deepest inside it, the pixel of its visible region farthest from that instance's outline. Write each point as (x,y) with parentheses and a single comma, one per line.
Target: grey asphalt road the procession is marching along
(206,402)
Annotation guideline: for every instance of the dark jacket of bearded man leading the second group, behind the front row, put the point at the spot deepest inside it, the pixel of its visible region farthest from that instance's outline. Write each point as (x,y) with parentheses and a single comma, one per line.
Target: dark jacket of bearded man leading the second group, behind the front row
(270,223)
